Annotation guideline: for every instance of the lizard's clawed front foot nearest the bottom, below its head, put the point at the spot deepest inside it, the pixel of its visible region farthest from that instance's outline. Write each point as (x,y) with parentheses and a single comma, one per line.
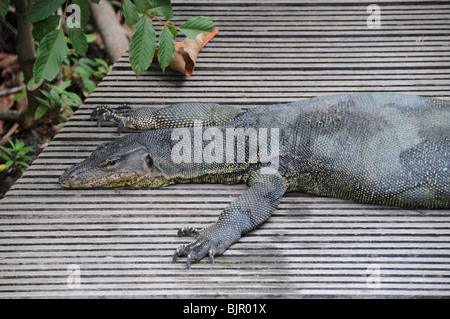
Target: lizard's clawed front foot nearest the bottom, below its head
(206,242)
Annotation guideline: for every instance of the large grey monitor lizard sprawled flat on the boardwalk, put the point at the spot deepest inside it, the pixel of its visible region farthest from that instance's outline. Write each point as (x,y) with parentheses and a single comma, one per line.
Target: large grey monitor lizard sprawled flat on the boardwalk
(377,148)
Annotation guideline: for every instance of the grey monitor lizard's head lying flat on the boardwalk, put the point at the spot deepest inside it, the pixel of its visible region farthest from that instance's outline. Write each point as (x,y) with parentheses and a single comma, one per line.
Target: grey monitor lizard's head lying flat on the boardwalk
(133,160)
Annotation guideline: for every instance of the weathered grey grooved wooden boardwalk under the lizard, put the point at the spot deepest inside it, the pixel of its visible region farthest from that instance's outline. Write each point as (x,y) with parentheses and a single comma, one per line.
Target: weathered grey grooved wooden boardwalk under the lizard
(119,242)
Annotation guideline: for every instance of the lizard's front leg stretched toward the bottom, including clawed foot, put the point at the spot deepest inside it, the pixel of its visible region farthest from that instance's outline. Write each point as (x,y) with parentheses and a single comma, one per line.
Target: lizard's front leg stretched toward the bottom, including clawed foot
(244,214)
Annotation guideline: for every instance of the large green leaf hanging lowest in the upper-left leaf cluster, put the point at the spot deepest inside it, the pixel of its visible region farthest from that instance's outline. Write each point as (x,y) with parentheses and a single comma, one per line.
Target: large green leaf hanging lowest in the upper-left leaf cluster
(50,54)
